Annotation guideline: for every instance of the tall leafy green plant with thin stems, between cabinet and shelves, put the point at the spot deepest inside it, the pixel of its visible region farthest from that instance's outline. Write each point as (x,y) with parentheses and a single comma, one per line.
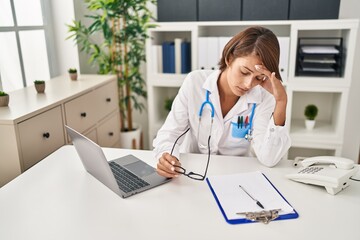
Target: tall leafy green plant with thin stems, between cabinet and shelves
(122,26)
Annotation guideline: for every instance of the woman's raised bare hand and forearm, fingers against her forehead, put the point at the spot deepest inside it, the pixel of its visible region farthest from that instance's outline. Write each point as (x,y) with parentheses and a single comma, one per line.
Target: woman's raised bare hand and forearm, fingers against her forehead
(275,87)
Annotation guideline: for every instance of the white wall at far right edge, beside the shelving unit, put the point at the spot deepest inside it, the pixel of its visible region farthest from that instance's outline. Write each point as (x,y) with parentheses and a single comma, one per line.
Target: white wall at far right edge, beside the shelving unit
(350,9)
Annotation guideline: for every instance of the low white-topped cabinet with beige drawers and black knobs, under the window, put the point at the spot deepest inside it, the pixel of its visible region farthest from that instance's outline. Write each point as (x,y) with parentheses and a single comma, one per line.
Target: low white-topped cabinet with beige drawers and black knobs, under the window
(32,126)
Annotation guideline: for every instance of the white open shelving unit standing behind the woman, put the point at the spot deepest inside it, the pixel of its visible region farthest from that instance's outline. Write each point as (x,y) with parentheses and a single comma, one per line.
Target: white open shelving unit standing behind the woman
(330,94)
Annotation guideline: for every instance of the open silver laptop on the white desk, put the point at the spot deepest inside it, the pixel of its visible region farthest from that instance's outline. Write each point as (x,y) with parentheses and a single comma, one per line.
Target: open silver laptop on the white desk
(125,176)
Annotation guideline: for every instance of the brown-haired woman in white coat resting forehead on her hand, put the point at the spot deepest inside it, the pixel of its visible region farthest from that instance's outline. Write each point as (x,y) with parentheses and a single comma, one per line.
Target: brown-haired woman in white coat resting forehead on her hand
(243,106)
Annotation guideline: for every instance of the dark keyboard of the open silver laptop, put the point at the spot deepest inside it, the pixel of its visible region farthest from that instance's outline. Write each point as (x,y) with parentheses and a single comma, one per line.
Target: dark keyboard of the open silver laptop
(126,180)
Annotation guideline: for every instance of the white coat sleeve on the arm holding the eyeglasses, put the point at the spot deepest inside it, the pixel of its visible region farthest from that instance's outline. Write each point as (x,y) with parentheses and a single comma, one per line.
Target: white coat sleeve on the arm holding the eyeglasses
(175,124)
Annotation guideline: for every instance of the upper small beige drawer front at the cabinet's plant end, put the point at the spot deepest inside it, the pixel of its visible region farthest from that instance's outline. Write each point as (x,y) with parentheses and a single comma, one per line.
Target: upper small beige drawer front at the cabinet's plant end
(107,100)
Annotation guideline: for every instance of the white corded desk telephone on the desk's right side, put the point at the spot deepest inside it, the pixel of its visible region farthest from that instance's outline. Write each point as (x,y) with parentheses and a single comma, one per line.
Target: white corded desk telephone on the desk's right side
(331,172)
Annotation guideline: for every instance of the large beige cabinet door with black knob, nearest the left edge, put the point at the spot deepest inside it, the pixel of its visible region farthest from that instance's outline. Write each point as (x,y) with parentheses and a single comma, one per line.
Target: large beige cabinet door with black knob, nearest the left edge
(40,136)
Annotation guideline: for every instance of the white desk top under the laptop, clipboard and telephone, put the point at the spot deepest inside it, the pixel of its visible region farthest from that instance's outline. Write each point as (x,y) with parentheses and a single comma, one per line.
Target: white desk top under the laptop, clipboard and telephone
(58,199)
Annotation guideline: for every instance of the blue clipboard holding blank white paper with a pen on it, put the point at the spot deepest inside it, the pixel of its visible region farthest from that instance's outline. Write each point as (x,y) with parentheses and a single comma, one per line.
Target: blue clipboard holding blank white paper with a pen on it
(217,183)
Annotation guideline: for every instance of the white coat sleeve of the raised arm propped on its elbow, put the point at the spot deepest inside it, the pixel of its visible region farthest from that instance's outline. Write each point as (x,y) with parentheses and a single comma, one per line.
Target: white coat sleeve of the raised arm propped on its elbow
(270,142)
